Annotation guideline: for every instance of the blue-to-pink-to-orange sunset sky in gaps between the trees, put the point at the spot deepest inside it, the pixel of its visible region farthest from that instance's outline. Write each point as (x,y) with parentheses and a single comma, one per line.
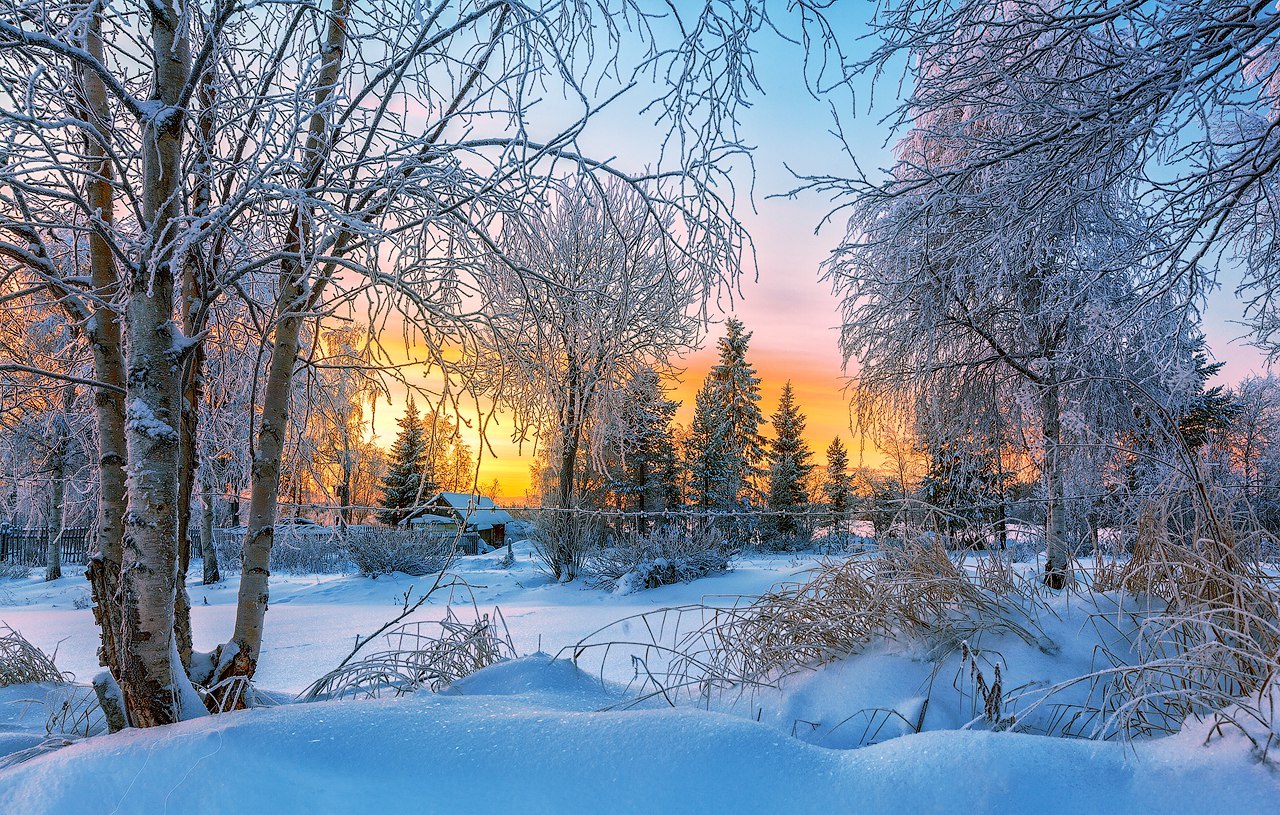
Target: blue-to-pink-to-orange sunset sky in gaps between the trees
(792,313)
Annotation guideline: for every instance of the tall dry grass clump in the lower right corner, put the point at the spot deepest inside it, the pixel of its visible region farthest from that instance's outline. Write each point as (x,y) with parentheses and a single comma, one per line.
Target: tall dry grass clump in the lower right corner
(1206,629)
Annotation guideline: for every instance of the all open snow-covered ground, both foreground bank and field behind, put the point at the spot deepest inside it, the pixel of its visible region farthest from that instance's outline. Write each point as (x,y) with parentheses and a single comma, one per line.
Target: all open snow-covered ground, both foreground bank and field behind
(547,736)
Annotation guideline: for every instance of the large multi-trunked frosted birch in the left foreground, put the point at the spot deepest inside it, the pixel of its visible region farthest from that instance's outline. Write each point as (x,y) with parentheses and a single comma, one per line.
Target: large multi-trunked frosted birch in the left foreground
(161,159)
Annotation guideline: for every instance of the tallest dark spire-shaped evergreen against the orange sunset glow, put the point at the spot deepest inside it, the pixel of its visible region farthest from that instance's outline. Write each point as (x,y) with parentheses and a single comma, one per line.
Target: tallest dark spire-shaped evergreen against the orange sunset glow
(737,390)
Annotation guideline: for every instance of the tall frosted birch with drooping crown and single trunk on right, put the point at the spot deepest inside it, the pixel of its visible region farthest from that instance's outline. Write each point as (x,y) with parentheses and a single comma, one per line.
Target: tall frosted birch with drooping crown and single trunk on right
(953,296)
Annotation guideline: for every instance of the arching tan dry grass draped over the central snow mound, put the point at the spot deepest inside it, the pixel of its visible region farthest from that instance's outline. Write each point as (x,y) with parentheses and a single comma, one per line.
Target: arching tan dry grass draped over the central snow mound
(915,593)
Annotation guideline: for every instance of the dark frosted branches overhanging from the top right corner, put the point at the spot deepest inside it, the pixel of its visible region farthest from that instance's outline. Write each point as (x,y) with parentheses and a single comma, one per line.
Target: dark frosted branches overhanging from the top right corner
(1183,94)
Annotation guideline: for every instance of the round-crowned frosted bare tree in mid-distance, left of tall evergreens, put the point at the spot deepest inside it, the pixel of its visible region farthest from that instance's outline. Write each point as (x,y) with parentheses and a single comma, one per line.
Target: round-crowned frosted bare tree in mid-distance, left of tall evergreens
(609,294)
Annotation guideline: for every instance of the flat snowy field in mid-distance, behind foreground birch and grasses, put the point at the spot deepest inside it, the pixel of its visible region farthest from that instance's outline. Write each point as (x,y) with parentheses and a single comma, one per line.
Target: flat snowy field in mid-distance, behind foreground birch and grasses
(313,620)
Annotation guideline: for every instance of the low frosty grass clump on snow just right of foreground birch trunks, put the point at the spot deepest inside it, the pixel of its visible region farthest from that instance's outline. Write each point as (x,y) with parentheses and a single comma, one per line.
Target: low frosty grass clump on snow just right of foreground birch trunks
(426,656)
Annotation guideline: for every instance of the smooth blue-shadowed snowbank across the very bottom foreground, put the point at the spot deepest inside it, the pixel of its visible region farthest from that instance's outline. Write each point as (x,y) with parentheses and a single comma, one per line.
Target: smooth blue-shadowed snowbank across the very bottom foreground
(523,738)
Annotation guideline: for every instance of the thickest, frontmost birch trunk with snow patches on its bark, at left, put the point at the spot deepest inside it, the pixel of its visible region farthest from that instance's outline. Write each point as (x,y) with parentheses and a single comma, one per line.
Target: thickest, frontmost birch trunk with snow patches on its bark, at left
(154,684)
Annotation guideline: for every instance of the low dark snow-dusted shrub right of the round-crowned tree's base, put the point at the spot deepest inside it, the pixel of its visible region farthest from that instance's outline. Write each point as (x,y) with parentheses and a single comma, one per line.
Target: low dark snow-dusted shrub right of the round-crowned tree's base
(665,556)
